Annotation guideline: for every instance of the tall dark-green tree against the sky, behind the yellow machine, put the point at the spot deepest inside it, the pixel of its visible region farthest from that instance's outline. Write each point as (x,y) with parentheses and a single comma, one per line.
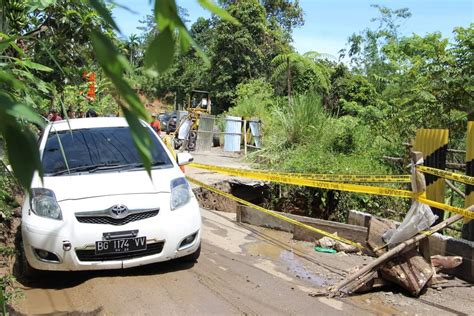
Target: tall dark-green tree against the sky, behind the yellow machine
(240,52)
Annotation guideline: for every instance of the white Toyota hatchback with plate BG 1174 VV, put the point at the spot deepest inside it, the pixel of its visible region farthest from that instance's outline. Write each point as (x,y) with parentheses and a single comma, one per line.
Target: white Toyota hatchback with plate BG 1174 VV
(102,210)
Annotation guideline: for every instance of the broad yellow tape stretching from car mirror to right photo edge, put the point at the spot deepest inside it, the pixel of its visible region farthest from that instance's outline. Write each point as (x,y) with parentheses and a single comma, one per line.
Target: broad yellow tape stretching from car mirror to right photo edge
(356,188)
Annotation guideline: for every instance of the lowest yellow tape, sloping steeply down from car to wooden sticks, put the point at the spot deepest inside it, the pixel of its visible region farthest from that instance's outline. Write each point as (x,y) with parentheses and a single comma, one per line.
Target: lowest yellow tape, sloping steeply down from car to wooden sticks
(274,214)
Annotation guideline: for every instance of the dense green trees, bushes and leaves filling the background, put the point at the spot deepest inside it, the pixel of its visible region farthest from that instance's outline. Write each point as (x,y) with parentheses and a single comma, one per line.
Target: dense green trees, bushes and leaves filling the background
(320,113)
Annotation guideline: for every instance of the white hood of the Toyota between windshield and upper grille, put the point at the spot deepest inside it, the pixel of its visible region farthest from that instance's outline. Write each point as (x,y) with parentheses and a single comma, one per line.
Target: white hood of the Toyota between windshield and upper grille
(82,186)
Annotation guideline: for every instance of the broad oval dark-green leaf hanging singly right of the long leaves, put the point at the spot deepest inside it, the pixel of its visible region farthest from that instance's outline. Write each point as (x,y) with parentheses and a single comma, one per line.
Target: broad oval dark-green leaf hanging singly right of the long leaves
(160,53)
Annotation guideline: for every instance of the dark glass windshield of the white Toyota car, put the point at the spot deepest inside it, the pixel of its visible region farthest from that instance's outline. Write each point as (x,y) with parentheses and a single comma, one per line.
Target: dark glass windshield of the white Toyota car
(97,149)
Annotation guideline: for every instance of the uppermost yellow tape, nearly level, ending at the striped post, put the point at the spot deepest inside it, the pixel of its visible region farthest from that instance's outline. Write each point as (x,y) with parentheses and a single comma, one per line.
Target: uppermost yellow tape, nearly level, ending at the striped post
(320,177)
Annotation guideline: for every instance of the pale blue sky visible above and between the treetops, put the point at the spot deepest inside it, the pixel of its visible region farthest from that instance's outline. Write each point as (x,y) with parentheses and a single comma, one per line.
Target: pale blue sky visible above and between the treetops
(328,23)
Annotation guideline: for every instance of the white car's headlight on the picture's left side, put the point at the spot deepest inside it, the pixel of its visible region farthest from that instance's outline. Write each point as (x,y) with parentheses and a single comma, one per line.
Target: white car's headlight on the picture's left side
(43,203)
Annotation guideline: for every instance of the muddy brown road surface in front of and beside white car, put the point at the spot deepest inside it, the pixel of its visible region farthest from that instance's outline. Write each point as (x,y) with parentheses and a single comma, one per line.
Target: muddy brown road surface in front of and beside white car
(230,278)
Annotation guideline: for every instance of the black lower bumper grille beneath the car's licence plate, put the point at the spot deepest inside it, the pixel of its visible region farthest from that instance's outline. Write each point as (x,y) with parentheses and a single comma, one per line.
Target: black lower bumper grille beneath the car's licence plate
(90,255)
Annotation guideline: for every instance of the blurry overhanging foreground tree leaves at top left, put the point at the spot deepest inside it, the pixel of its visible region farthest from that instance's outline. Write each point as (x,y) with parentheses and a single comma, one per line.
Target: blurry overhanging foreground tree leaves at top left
(159,56)
